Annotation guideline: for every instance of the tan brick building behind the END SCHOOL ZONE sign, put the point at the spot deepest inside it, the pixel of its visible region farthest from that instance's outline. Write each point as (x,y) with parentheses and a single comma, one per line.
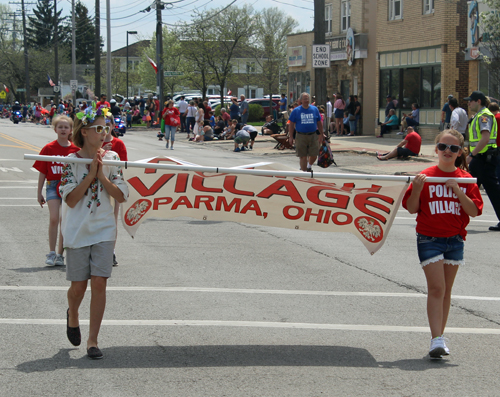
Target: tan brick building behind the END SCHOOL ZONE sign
(349,77)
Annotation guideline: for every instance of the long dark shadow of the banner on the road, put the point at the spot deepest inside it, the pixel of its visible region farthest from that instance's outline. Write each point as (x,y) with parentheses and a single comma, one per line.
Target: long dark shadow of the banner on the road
(207,356)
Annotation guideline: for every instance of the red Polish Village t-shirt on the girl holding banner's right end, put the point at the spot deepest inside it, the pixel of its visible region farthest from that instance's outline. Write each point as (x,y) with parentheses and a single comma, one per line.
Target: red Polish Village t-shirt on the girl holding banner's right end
(440,213)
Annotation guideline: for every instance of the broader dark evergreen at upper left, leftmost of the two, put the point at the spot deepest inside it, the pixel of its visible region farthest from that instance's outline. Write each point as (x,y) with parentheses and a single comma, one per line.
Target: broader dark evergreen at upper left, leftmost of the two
(40,30)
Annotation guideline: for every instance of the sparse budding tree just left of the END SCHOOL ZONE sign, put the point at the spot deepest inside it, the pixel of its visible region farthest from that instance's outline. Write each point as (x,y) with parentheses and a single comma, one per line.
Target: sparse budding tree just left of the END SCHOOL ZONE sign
(273,27)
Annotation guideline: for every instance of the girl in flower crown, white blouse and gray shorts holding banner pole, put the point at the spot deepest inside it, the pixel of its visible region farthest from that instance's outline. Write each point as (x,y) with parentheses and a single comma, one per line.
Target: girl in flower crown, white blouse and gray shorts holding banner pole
(88,225)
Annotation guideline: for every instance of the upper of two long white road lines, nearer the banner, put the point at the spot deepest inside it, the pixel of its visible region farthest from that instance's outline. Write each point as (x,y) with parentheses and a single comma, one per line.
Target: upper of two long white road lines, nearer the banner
(249,291)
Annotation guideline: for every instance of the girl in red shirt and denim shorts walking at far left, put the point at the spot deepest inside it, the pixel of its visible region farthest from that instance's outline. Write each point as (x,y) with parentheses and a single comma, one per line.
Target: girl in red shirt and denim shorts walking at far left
(51,171)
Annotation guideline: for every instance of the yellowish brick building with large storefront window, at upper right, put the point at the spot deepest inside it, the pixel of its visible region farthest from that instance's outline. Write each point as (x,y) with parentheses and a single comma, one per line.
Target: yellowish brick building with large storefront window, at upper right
(421,59)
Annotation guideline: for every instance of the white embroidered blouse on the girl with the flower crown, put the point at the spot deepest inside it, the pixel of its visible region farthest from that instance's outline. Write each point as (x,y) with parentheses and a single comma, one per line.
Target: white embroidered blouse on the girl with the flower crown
(92,219)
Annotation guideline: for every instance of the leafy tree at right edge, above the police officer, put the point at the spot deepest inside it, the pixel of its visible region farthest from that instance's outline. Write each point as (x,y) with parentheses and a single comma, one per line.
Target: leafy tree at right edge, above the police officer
(490,22)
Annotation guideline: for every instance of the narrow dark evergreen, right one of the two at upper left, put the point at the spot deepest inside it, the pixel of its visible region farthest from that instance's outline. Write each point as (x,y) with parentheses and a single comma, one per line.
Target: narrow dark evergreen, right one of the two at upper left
(85,34)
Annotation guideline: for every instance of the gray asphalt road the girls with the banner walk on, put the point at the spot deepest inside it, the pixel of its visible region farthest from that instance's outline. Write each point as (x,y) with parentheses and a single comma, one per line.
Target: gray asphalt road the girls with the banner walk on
(226,309)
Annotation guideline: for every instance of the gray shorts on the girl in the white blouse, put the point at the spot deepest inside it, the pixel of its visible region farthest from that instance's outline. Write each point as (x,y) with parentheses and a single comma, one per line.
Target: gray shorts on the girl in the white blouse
(94,260)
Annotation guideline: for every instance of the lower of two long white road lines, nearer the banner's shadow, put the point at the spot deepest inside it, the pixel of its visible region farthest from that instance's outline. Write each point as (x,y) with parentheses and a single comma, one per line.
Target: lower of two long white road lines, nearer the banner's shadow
(256,324)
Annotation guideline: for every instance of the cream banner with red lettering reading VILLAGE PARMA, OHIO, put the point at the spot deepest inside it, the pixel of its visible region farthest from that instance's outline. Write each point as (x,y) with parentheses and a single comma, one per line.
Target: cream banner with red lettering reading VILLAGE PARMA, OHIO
(365,208)
